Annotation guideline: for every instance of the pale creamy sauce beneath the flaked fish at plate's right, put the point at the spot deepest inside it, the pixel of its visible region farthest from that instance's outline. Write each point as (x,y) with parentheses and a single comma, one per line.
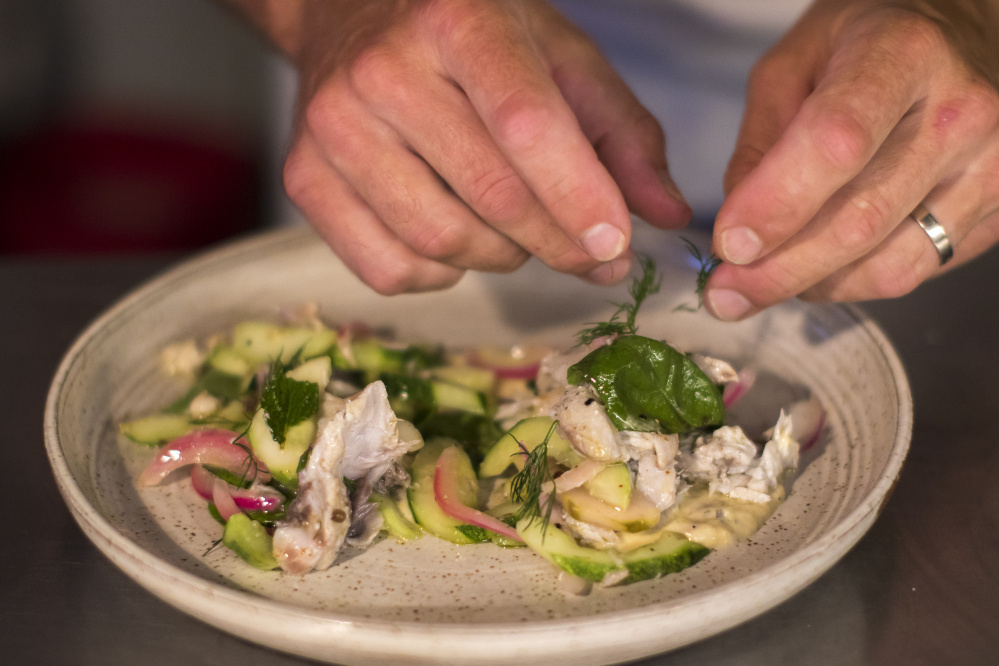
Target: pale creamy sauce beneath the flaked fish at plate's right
(716,520)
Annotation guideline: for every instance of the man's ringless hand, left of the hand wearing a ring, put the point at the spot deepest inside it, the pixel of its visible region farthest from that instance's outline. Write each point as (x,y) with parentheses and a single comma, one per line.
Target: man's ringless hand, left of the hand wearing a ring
(438,136)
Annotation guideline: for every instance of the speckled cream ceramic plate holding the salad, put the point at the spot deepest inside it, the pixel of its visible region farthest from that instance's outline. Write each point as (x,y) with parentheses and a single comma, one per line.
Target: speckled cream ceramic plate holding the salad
(429,601)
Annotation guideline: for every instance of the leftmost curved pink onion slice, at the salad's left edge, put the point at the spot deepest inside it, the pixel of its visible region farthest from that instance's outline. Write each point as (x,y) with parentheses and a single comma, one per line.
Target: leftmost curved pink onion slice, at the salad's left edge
(213,446)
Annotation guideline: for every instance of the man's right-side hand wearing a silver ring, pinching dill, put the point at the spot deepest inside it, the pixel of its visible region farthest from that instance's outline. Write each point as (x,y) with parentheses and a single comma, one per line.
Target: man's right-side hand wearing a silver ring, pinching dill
(865,109)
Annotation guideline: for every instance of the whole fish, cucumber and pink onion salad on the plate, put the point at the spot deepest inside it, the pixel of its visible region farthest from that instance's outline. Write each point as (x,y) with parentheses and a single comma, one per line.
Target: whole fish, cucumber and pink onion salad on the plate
(611,459)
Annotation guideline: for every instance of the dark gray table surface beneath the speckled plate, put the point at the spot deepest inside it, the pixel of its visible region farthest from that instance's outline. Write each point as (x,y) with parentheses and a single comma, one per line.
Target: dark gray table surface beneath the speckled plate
(921,588)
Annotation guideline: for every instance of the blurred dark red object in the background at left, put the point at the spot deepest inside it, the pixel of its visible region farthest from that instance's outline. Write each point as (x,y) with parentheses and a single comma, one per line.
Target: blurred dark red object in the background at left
(112,189)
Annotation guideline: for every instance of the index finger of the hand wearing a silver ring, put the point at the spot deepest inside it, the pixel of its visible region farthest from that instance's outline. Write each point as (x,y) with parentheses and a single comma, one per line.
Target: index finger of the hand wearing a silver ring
(867,87)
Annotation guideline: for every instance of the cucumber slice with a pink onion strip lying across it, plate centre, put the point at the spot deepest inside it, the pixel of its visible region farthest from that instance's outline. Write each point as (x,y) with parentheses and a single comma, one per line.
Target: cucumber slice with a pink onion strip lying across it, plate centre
(424,505)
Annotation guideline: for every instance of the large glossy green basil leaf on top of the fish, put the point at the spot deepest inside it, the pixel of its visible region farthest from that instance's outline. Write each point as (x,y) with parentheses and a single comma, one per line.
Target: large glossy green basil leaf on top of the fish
(648,386)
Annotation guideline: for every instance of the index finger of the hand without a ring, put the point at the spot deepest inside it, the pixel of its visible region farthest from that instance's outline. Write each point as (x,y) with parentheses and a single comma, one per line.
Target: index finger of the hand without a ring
(511,89)
